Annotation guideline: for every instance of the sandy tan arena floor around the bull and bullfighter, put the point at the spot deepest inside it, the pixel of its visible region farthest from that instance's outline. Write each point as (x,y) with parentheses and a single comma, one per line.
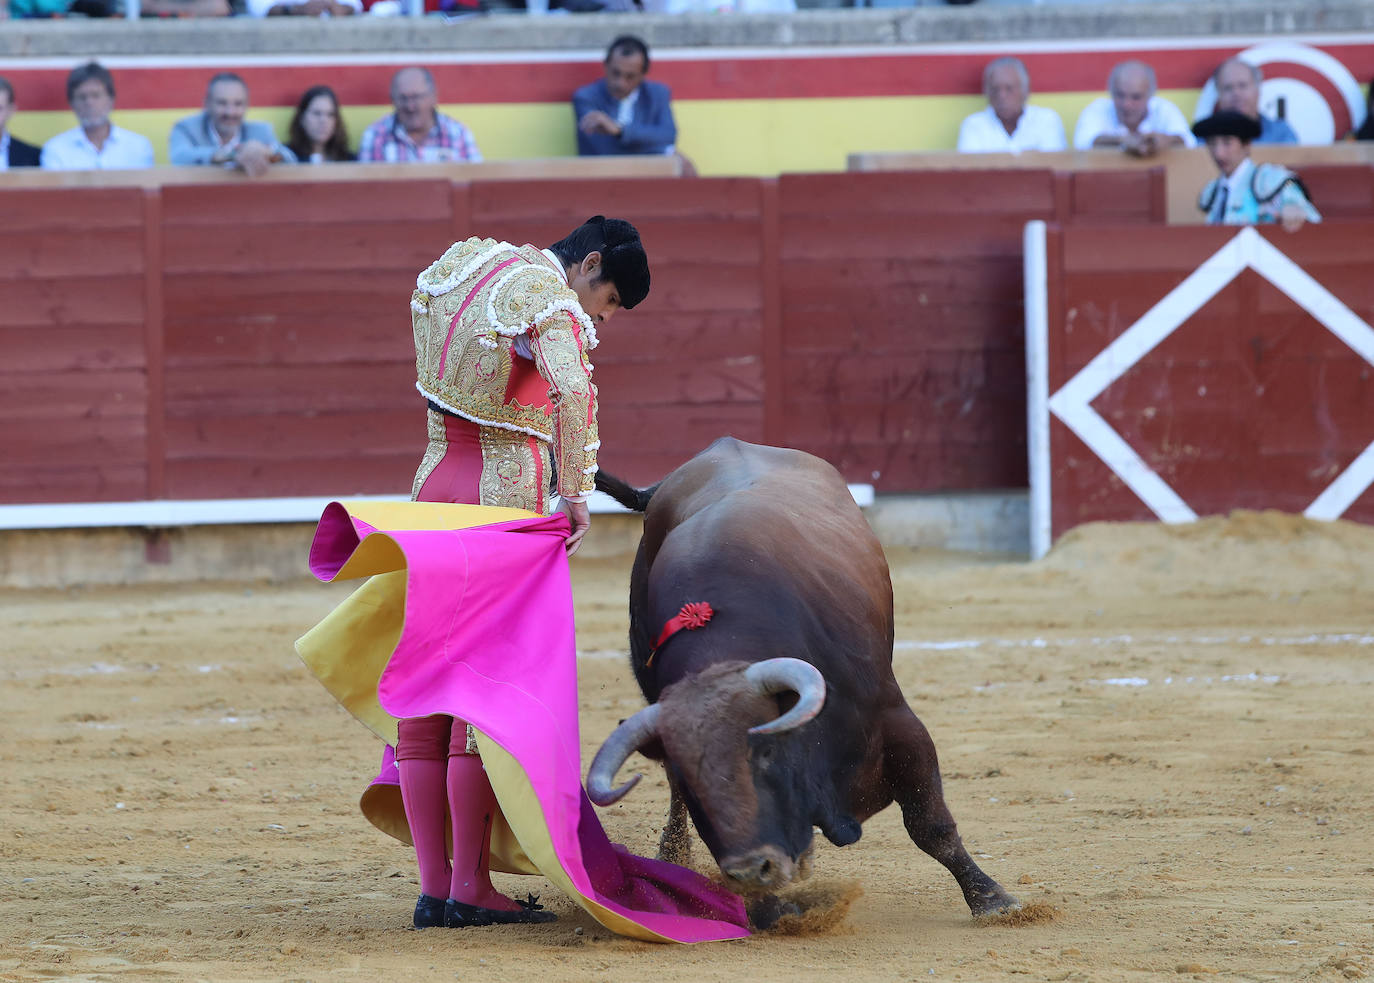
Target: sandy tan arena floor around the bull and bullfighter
(1162,736)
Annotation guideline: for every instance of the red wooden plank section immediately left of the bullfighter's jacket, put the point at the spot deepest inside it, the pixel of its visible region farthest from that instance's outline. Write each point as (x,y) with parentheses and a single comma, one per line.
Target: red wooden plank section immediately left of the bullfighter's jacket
(289,353)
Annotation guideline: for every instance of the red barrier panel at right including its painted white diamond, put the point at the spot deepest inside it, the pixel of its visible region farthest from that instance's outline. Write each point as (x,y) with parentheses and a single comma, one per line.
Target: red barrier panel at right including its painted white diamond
(1197,371)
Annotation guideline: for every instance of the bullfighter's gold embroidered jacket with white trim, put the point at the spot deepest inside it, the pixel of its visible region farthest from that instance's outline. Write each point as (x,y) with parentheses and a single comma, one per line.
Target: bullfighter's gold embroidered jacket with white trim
(475,311)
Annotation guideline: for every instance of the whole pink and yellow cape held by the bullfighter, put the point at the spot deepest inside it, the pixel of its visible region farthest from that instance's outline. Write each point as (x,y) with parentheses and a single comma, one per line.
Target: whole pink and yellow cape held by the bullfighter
(468,611)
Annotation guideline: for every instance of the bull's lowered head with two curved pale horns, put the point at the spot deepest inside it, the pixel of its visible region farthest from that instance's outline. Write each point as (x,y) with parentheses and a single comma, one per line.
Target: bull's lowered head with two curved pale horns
(740,764)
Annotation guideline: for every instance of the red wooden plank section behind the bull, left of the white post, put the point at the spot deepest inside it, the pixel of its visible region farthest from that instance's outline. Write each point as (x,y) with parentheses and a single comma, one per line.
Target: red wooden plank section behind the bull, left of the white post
(902,324)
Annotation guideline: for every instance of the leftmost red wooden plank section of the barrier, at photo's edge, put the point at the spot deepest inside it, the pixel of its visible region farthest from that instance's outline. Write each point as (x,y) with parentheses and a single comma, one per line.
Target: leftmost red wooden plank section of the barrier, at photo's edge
(72,382)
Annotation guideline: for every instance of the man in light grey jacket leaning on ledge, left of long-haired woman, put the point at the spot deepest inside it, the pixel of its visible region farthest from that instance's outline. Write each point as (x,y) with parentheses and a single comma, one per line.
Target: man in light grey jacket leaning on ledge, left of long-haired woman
(221,135)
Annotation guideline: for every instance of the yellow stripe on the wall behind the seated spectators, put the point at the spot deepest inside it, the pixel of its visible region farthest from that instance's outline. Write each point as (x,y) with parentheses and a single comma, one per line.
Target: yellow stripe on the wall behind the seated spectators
(722,137)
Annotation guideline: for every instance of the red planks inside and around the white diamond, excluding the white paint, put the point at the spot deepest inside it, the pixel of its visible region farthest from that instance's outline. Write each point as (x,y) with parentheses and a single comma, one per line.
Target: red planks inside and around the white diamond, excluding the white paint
(1250,404)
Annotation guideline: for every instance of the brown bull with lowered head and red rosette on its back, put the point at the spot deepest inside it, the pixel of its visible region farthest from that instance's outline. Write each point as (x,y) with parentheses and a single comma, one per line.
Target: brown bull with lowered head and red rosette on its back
(761,634)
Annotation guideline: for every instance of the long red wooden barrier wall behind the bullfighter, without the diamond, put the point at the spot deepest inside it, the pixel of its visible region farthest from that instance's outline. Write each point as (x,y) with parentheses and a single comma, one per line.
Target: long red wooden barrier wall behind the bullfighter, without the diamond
(254,340)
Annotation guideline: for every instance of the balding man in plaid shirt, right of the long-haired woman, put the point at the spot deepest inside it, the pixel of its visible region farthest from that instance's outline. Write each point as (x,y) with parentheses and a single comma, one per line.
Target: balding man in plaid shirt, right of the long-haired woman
(417,131)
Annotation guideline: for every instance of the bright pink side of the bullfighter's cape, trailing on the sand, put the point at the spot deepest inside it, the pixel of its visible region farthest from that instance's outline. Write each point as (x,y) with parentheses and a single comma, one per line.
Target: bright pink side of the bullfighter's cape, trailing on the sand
(488,637)
